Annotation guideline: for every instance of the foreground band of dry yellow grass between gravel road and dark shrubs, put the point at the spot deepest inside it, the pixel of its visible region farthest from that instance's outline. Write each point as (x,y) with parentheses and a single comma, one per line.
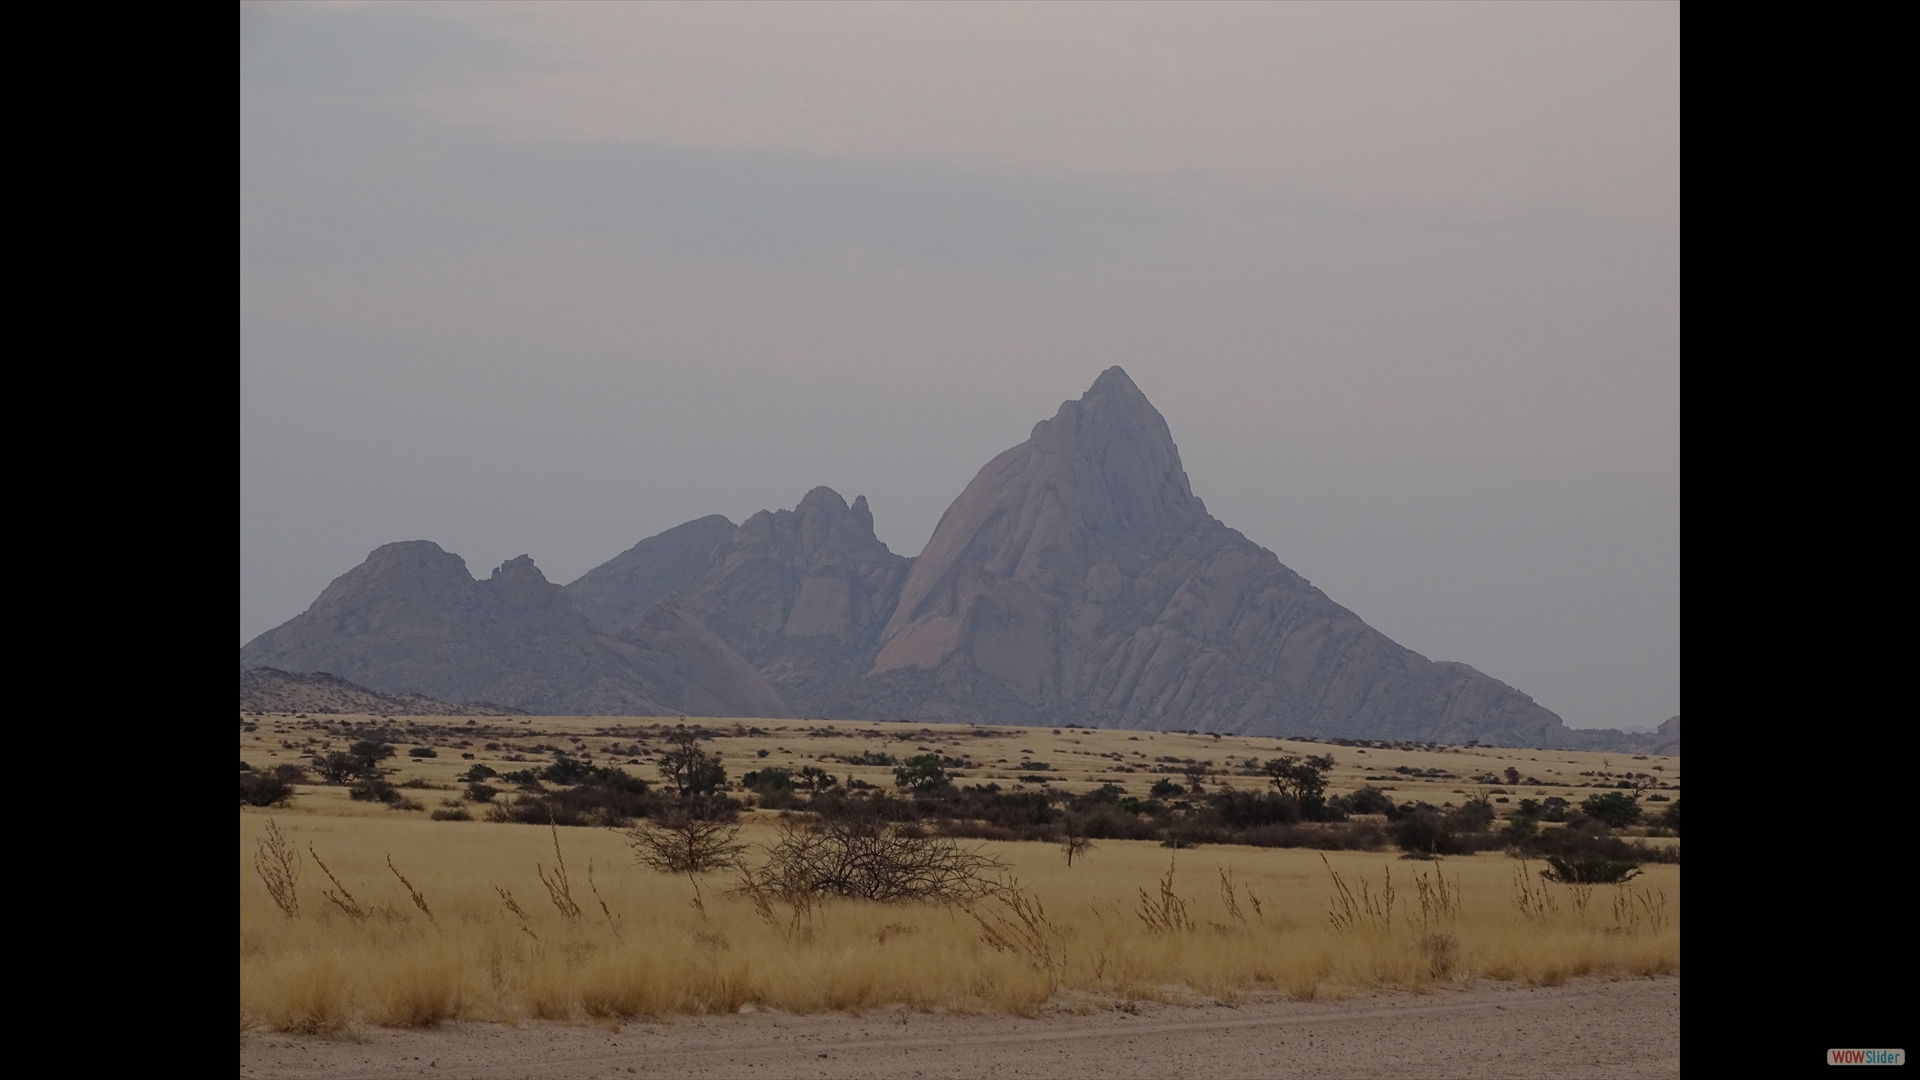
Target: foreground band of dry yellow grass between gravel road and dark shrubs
(444,943)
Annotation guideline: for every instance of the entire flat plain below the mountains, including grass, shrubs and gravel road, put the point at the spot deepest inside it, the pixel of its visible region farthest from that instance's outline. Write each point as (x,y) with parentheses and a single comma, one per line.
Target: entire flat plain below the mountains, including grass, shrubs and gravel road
(452,908)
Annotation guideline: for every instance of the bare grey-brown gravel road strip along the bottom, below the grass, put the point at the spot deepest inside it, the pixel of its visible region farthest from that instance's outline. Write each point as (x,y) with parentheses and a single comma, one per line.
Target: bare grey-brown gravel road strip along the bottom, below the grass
(1581,1029)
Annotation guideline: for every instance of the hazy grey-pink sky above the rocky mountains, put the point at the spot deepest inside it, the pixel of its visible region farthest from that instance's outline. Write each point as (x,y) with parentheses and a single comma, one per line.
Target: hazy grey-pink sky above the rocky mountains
(1403,278)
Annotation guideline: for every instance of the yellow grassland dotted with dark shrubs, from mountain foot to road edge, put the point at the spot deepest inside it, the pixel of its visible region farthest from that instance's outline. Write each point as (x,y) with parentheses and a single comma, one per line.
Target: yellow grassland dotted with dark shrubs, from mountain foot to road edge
(694,870)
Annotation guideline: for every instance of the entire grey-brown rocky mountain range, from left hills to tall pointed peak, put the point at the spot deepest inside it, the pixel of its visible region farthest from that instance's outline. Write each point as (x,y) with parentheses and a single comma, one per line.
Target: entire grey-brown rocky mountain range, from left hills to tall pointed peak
(1076,579)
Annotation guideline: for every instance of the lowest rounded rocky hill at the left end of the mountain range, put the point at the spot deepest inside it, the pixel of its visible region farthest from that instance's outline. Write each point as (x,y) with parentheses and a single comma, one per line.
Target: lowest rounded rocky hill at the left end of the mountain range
(412,620)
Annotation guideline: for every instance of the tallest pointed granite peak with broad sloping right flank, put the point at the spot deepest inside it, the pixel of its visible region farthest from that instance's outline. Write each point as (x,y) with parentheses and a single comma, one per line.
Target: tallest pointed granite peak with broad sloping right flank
(1080,579)
